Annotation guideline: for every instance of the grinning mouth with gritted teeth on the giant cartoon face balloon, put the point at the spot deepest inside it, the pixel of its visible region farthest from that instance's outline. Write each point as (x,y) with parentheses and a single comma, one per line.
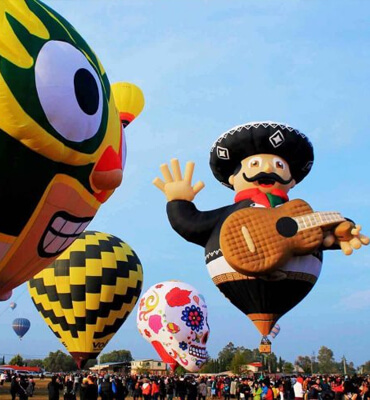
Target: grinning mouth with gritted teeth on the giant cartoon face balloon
(62,231)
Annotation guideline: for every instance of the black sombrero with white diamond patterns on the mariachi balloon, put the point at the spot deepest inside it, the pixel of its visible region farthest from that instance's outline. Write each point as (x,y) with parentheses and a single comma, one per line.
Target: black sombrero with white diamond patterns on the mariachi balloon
(264,137)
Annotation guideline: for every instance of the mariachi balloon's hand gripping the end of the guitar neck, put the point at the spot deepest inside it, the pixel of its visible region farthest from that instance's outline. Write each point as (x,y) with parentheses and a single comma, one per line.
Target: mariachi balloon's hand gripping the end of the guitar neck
(348,237)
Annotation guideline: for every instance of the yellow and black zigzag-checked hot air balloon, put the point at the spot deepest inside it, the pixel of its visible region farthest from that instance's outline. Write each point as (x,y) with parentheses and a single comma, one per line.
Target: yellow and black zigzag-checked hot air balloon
(88,292)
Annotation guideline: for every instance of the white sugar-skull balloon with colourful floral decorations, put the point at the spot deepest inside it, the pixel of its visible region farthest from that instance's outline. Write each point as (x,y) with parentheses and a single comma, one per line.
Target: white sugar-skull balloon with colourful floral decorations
(172,316)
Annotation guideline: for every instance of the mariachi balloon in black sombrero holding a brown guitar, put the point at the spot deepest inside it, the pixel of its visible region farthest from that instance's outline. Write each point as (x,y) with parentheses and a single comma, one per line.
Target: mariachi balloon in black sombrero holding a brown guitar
(265,259)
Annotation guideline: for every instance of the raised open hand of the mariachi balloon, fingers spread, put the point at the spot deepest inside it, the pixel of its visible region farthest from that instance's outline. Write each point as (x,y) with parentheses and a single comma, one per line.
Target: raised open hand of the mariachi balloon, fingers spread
(176,187)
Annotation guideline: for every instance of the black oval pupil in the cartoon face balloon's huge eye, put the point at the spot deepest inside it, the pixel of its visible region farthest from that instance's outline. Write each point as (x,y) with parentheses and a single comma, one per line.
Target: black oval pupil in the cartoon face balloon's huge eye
(86,90)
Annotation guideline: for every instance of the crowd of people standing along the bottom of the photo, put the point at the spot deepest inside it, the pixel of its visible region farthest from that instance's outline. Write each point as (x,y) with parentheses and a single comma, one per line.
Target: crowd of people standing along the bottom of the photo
(118,387)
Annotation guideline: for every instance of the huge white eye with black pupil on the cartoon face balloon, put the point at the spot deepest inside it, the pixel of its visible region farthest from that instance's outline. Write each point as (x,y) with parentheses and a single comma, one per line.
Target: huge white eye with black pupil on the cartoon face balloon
(69,90)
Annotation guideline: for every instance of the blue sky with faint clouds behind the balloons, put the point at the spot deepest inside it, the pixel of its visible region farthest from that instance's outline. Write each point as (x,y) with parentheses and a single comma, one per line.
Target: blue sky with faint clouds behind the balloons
(204,67)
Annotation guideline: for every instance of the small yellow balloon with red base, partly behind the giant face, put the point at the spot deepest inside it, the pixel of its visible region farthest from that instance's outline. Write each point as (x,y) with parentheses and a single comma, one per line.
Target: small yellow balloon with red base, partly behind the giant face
(129,101)
